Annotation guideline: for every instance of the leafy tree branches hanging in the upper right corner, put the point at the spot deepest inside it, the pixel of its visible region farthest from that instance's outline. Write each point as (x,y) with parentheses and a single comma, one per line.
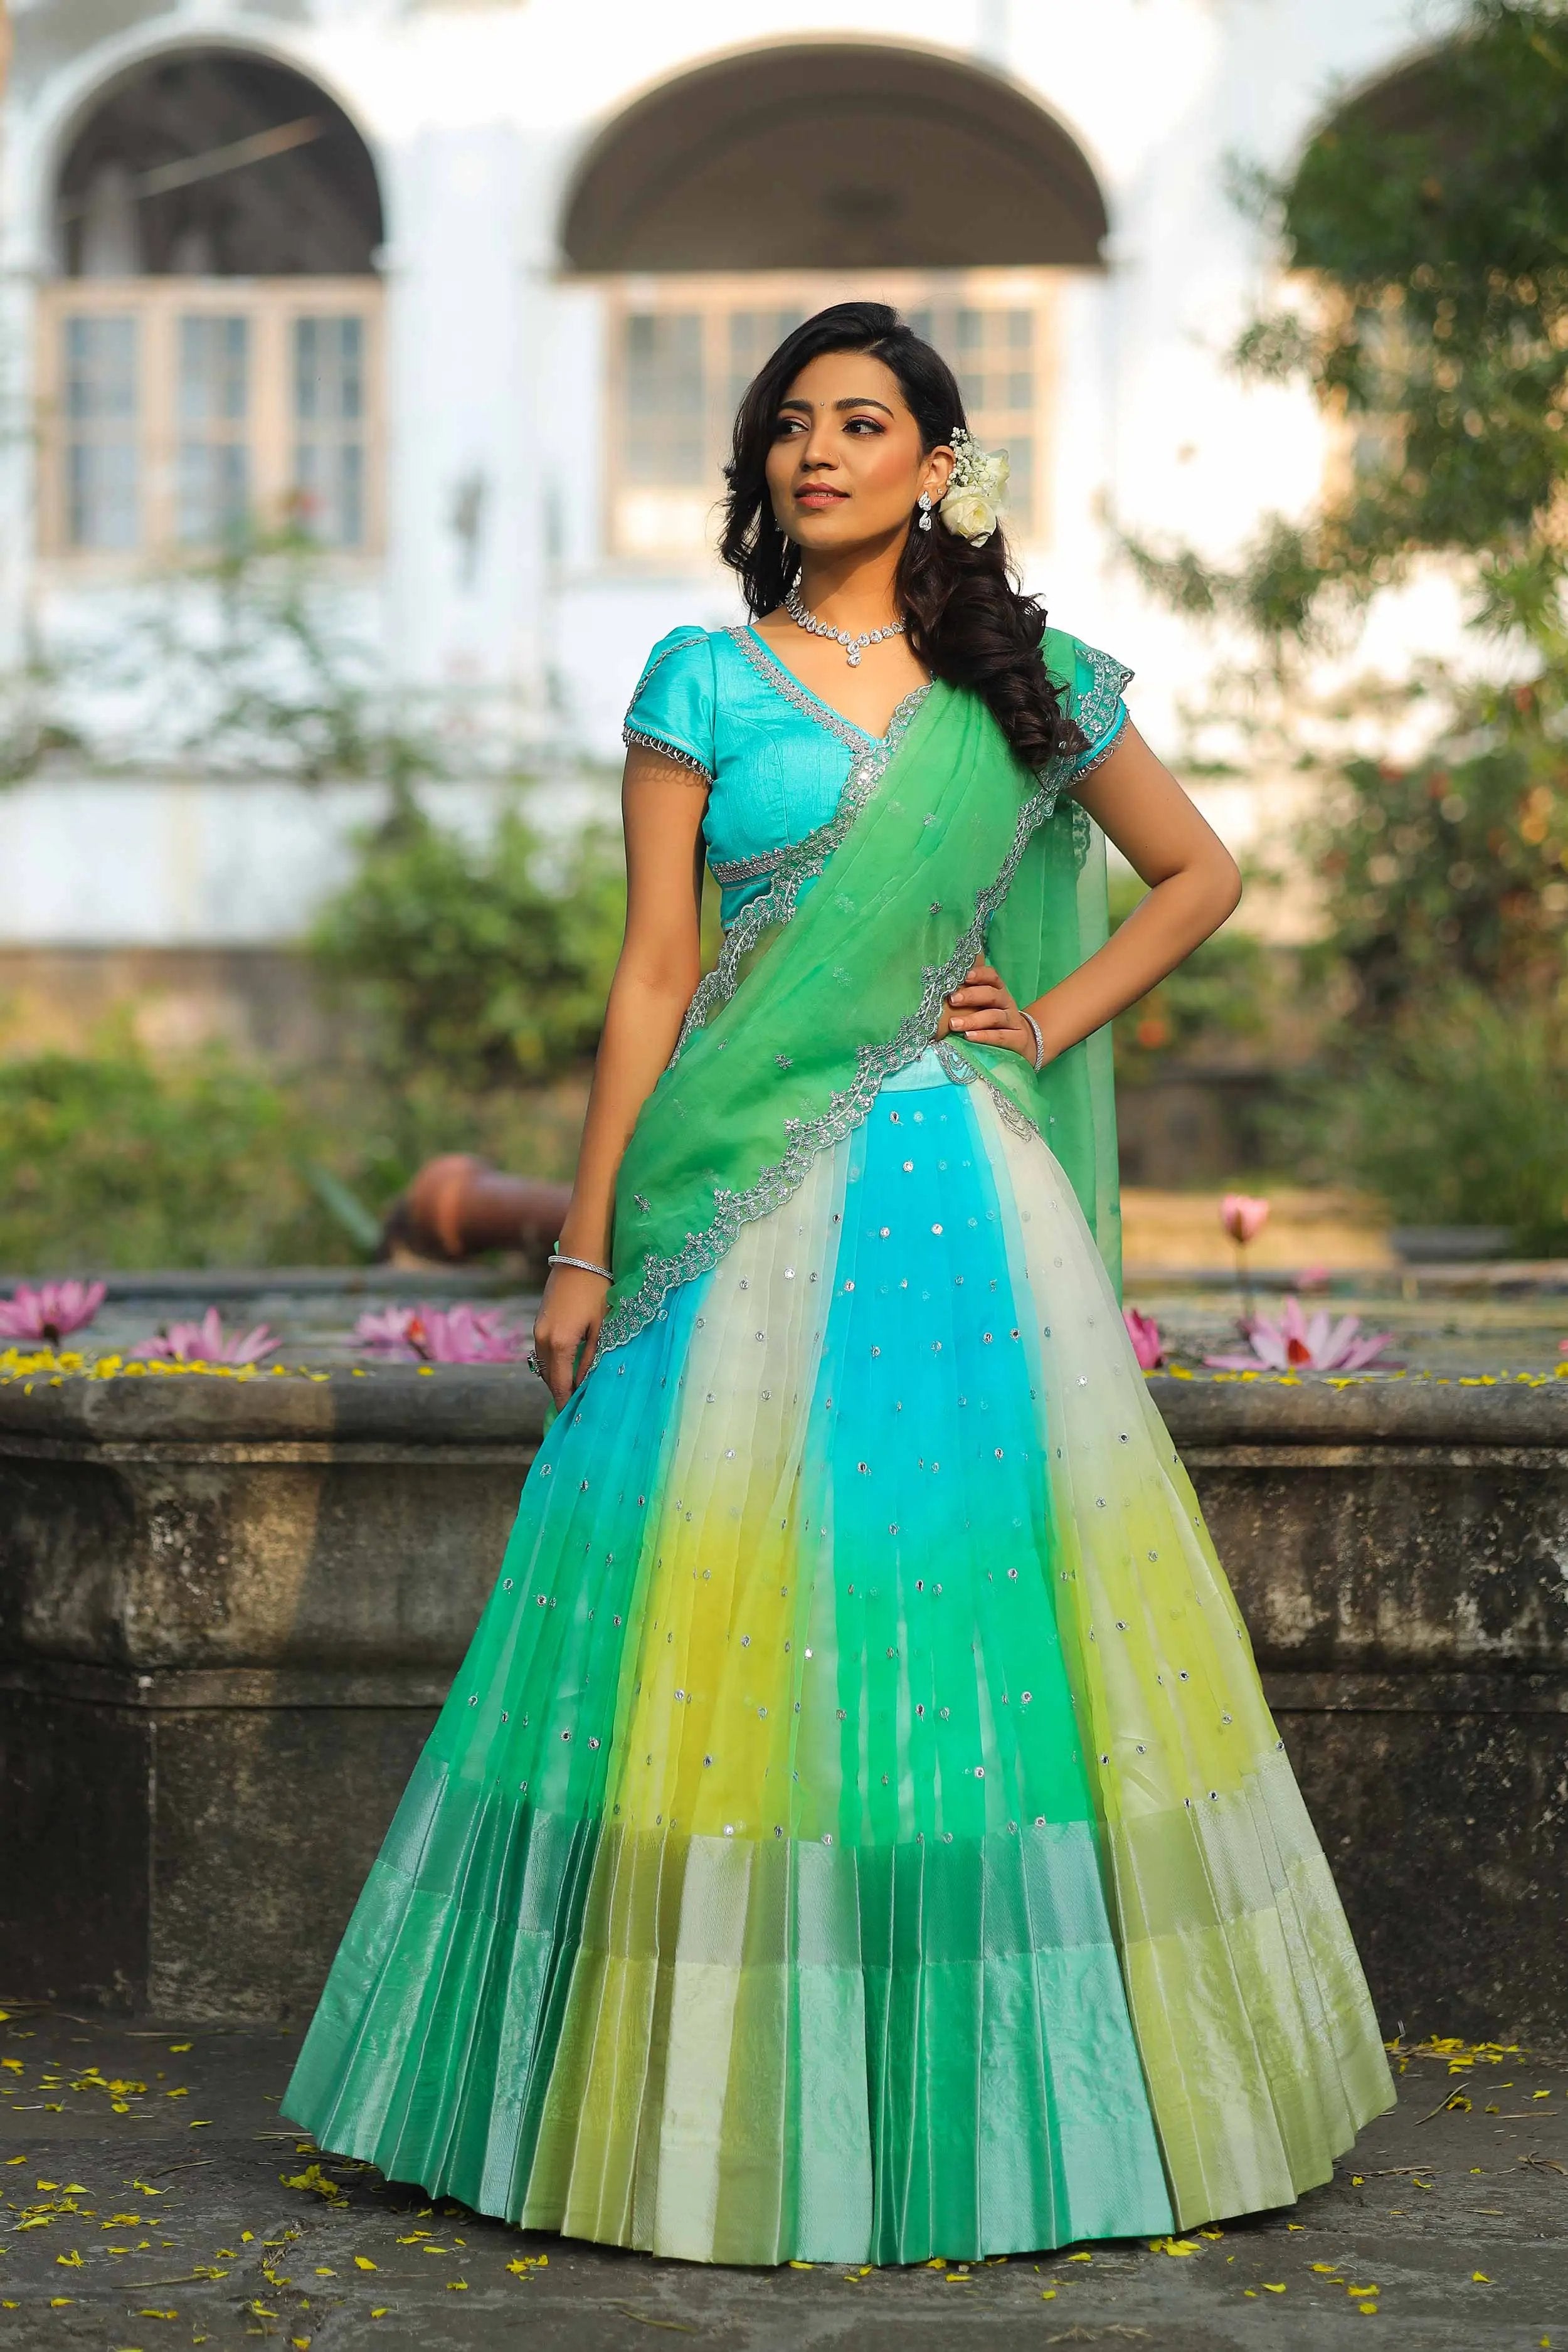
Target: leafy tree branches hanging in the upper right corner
(1433,218)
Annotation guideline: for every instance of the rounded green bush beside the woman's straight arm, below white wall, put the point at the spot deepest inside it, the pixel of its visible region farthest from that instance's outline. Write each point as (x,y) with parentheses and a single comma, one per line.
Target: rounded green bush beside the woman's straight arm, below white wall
(483,965)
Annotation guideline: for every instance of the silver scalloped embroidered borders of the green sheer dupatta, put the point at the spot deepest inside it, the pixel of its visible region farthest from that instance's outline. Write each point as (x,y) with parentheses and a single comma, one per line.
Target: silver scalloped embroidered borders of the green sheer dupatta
(873,1062)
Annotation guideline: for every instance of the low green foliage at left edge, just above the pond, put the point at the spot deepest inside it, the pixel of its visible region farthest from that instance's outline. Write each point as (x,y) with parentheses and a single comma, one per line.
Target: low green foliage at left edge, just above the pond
(114,1163)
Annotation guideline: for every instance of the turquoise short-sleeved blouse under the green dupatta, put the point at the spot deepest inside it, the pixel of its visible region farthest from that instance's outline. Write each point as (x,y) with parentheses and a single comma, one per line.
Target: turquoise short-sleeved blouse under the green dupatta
(770,751)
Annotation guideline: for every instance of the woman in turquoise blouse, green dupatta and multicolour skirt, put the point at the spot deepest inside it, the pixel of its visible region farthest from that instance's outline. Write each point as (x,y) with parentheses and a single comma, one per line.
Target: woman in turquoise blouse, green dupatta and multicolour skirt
(857,1831)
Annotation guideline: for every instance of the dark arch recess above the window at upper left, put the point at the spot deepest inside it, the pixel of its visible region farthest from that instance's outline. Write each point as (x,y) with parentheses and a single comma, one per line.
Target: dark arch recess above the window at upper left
(215,161)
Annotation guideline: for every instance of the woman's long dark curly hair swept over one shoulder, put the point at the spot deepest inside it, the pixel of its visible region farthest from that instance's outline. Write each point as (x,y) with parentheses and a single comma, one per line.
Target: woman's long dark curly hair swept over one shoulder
(965,617)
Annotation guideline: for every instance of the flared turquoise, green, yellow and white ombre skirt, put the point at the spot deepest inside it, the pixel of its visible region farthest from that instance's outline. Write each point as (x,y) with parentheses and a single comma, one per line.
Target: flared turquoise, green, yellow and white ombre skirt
(857,1831)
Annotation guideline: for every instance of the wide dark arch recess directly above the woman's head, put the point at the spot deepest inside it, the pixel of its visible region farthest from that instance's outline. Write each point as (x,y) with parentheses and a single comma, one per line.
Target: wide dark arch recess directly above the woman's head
(833,156)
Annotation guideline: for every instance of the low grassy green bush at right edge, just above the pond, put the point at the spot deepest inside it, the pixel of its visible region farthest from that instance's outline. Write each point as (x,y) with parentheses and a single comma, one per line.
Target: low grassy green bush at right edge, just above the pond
(1461,1121)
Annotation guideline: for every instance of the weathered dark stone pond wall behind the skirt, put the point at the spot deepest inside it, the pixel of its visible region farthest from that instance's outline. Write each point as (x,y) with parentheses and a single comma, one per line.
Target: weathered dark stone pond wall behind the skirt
(232,1610)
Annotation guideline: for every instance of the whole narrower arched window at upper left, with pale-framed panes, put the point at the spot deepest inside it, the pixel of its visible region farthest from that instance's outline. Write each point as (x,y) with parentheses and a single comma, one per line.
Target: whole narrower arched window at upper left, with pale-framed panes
(210,352)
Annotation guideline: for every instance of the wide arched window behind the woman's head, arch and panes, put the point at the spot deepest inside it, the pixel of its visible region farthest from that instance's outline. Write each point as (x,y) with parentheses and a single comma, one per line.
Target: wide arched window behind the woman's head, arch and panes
(742,196)
